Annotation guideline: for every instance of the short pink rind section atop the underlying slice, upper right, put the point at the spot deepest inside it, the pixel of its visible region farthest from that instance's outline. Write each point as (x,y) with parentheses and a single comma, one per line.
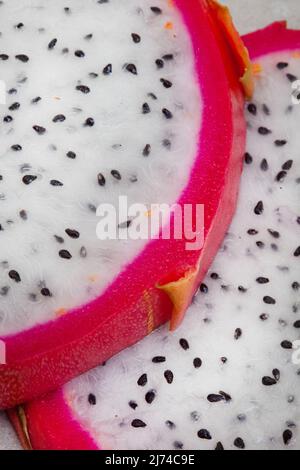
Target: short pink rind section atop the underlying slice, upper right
(274,38)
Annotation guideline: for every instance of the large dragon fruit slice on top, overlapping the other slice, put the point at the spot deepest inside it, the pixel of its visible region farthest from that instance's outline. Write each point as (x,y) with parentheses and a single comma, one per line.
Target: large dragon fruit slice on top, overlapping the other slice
(150,106)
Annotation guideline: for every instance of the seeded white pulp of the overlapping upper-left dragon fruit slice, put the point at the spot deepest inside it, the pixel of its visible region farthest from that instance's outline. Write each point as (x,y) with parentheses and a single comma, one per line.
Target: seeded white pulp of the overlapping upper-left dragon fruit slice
(69,44)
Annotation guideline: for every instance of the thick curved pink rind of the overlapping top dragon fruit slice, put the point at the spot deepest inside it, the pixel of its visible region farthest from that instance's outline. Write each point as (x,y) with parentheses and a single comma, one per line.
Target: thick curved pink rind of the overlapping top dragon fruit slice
(47,356)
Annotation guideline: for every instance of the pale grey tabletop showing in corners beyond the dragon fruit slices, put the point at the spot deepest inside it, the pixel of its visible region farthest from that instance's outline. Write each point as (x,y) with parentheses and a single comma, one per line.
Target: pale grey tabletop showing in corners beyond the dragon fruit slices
(248,15)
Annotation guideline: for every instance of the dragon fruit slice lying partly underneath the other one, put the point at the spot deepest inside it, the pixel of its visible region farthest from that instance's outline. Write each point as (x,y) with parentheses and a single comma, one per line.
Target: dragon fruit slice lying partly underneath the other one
(228,377)
